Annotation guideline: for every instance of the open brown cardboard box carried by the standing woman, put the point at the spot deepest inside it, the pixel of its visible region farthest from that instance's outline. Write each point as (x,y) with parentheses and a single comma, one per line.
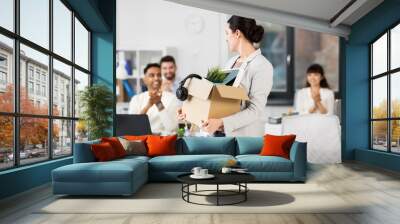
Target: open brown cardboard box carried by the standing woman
(209,100)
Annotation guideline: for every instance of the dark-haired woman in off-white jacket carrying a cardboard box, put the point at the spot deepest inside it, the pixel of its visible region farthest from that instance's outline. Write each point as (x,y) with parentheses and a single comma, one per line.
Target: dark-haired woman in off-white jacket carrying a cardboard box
(255,75)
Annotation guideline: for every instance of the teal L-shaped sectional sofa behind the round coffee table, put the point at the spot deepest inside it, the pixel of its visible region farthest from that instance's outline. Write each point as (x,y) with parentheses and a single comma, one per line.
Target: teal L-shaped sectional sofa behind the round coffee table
(125,176)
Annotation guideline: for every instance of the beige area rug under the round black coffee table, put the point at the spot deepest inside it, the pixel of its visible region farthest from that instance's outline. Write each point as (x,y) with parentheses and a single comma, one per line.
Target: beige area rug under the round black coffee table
(166,198)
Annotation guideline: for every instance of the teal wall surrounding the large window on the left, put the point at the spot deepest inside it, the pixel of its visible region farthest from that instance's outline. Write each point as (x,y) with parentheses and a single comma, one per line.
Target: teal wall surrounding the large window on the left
(99,16)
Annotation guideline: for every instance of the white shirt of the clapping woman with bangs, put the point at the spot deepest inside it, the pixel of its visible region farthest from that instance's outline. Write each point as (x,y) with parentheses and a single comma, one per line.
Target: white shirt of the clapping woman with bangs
(304,101)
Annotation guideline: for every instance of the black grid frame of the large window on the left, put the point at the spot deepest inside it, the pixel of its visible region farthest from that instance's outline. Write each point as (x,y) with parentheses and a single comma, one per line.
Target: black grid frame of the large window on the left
(16,114)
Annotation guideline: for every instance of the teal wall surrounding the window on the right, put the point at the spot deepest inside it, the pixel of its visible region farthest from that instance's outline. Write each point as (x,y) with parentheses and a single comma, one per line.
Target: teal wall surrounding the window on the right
(356,84)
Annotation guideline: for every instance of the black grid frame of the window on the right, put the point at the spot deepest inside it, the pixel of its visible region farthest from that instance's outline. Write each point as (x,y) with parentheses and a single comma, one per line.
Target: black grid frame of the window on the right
(388,74)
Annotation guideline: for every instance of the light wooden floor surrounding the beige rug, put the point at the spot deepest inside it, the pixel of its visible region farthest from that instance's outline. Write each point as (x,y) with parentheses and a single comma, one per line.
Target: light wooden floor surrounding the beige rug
(353,182)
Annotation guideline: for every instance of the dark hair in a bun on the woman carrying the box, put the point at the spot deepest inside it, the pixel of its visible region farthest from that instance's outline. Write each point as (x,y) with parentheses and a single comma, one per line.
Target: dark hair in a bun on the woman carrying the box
(251,31)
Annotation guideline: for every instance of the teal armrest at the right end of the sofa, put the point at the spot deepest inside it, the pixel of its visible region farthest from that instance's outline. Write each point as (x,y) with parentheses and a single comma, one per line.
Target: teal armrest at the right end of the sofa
(298,155)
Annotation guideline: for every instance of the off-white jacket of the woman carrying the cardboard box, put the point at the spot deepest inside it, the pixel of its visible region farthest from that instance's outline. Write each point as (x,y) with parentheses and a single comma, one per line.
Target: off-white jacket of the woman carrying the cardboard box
(255,75)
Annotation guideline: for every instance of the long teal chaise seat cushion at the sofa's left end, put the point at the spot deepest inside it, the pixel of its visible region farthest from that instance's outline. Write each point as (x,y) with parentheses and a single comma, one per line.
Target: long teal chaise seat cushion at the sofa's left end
(111,171)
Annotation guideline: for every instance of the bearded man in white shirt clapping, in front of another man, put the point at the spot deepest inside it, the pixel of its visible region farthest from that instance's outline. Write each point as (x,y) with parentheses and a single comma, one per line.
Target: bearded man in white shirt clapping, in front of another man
(160,106)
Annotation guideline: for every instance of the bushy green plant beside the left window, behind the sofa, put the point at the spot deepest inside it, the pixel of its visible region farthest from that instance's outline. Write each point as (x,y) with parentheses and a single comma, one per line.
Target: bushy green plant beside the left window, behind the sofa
(96,103)
